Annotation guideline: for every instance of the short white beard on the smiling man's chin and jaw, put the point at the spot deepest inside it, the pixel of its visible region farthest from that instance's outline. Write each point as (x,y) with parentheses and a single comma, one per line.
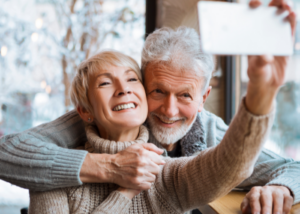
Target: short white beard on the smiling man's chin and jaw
(167,136)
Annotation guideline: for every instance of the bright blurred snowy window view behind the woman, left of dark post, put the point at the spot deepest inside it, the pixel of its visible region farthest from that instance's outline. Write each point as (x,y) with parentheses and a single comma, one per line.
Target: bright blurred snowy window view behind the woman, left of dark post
(41,44)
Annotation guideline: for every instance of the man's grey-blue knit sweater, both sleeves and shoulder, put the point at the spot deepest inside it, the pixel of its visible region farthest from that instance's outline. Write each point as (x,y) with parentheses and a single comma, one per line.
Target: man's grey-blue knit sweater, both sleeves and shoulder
(40,159)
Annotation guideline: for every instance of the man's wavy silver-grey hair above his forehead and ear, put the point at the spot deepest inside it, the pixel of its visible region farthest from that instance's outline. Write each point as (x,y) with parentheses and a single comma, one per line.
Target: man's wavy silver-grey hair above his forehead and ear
(180,48)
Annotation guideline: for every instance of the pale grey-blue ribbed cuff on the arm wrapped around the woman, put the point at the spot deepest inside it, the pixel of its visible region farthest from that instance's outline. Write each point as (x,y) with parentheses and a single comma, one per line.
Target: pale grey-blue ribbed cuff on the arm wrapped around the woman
(66,167)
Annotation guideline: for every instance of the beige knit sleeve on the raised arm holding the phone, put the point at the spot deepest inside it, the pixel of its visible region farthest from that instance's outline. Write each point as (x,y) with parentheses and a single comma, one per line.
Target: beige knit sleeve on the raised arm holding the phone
(187,183)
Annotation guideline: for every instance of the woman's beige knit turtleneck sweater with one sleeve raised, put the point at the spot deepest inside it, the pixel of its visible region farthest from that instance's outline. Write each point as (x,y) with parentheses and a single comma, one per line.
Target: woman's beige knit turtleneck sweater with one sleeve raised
(183,183)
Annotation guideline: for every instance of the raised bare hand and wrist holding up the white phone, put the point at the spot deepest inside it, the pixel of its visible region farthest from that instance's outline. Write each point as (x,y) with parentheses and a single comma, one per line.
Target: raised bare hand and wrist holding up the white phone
(266,73)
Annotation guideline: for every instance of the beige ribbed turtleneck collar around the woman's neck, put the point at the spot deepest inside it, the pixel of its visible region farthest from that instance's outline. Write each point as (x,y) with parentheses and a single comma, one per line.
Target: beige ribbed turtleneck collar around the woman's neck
(97,144)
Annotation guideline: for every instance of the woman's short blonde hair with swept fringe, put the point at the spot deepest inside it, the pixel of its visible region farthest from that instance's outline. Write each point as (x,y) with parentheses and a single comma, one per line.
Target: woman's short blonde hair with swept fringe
(100,61)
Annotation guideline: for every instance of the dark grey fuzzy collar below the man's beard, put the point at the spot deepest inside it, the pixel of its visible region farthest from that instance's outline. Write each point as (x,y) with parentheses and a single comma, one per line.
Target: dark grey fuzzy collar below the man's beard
(192,142)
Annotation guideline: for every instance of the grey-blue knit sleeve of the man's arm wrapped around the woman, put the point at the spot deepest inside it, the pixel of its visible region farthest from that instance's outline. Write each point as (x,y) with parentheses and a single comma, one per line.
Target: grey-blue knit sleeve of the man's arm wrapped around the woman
(39,158)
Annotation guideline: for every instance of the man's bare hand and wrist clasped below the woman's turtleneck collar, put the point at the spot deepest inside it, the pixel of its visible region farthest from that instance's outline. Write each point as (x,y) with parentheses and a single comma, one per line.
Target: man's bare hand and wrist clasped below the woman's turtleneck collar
(135,167)
